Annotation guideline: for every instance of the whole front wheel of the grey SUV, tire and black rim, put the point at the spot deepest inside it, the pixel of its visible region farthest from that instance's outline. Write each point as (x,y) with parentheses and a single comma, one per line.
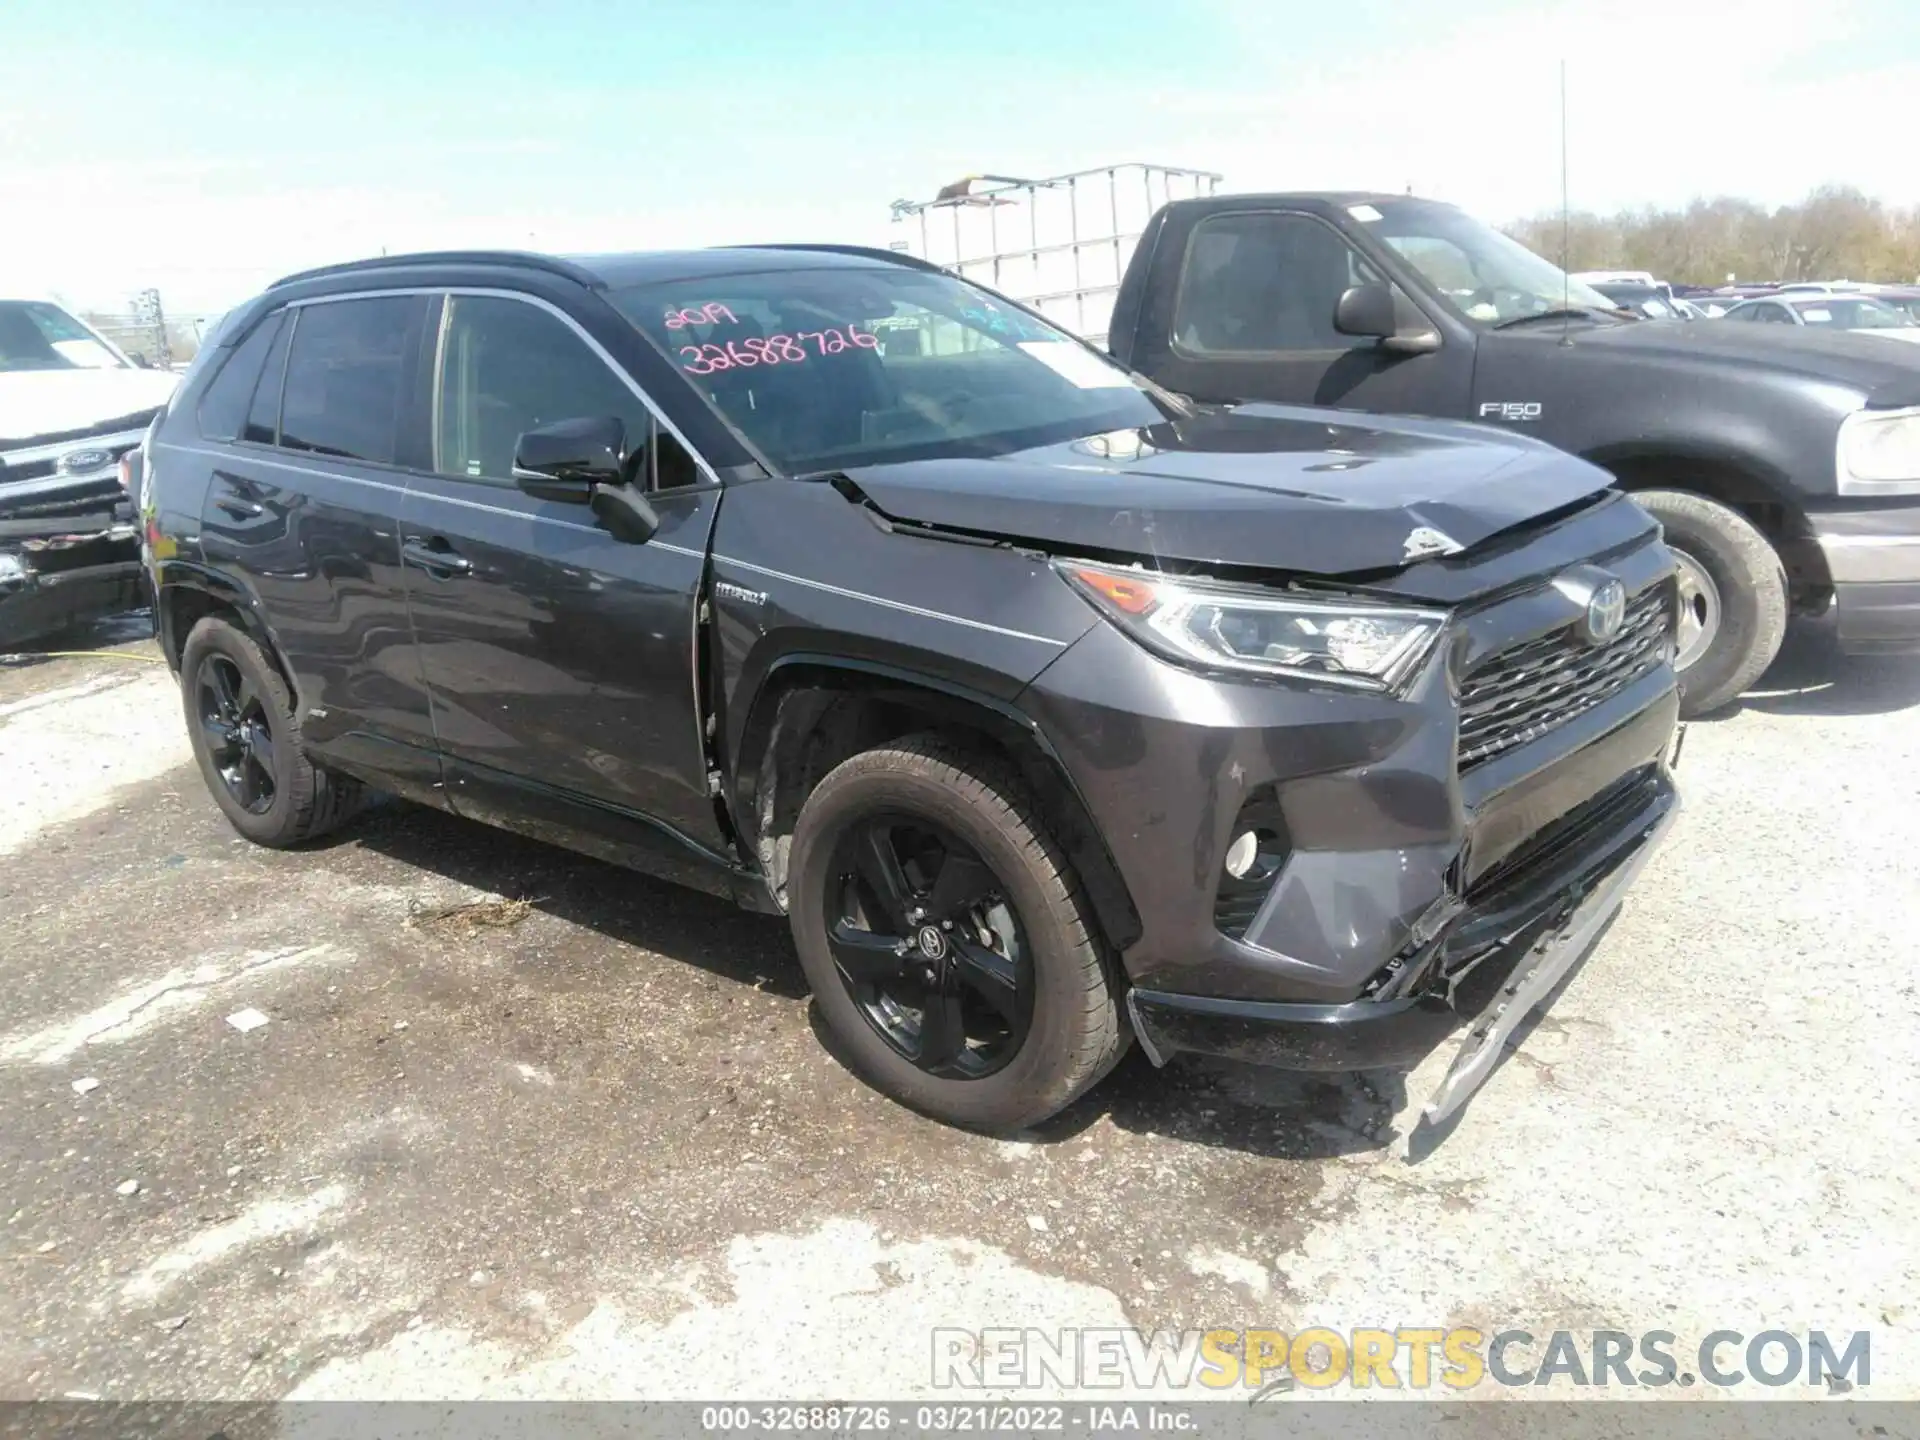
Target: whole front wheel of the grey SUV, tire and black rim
(1001,1009)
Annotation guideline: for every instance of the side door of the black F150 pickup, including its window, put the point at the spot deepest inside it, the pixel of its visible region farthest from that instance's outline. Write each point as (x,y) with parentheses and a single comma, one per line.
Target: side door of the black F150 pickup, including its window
(1245,312)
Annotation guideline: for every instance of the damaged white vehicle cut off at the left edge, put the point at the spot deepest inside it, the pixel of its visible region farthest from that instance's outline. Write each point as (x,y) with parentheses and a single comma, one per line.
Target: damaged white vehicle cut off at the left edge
(72,406)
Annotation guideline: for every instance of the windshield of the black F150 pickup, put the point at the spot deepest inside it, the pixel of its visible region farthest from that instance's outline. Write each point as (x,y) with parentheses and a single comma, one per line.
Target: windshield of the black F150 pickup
(1487,276)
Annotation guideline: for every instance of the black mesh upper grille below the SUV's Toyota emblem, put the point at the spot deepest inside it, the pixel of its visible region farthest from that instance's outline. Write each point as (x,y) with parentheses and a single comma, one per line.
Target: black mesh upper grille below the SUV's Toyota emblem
(1525,690)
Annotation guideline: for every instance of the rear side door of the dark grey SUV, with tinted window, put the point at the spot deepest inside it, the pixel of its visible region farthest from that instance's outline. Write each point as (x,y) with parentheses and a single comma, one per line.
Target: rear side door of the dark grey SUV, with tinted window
(304,512)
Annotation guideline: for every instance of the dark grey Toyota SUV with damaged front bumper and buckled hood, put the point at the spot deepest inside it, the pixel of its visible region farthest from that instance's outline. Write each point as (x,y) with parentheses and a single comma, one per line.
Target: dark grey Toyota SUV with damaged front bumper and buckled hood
(1049,708)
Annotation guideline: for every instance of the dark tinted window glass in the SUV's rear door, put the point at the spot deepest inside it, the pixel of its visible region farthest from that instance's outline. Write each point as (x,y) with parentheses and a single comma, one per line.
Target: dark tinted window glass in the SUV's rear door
(347,377)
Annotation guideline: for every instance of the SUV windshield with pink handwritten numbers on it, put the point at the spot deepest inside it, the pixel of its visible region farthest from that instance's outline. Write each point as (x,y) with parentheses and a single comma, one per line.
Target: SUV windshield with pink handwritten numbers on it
(863,366)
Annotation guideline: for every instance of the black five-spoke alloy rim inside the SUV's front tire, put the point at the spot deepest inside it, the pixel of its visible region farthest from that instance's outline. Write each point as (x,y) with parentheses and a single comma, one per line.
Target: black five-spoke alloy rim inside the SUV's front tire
(928,946)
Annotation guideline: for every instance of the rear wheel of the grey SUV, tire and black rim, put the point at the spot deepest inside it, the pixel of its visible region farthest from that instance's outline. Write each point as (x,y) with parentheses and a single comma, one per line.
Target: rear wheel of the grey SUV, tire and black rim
(247,738)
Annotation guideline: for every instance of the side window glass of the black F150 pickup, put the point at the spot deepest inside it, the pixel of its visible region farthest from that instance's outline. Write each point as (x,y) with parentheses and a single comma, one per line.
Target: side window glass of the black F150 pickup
(1264,283)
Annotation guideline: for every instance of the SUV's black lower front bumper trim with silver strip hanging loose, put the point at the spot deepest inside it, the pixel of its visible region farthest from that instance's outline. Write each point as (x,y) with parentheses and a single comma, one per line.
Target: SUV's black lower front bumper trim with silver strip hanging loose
(1522,934)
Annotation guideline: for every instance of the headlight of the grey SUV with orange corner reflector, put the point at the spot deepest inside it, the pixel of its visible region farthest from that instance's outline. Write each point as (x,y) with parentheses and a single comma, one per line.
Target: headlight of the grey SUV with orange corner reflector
(1260,631)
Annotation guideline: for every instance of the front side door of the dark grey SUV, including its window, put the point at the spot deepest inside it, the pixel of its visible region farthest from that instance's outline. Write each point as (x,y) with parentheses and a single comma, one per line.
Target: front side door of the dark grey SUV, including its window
(562,661)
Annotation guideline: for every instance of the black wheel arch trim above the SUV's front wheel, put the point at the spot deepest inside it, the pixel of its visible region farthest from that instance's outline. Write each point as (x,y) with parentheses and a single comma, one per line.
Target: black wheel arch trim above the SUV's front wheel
(942,700)
